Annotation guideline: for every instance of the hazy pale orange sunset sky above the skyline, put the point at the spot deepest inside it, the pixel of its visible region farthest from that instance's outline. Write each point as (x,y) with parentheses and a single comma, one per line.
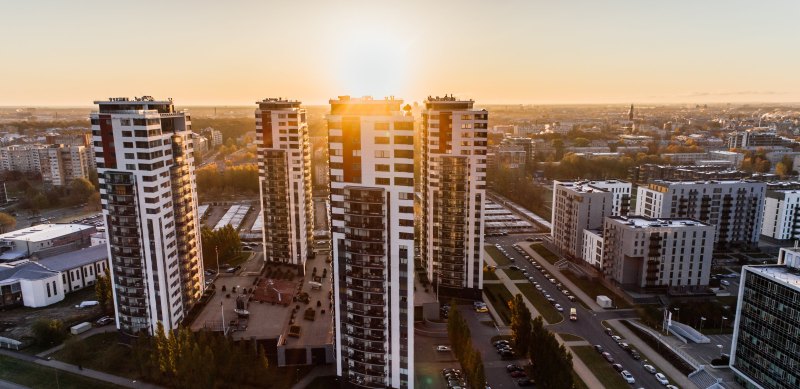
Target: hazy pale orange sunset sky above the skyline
(531,51)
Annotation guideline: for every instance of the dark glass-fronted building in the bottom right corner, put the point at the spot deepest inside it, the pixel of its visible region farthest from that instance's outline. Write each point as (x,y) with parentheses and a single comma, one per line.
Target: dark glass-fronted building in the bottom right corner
(765,348)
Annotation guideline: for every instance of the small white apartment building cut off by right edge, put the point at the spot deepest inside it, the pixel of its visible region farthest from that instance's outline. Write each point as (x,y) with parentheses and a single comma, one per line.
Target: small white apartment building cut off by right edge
(781,215)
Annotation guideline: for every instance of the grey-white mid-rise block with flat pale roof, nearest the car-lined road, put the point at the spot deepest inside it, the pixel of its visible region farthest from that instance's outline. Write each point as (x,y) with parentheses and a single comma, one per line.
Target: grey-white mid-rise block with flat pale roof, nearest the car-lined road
(642,252)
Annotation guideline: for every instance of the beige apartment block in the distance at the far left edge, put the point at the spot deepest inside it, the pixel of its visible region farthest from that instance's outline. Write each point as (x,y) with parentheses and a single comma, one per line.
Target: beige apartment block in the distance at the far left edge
(57,164)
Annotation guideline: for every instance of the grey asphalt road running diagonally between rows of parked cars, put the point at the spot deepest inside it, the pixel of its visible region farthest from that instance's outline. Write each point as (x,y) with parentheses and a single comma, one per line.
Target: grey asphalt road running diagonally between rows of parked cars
(589,325)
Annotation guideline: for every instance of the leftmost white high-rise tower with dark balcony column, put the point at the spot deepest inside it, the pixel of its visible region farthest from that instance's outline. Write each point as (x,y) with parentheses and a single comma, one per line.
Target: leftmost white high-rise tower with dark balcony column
(147,187)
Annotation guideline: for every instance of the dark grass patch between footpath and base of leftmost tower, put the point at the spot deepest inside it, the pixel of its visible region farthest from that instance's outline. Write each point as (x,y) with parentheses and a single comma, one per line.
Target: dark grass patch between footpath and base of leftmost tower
(108,356)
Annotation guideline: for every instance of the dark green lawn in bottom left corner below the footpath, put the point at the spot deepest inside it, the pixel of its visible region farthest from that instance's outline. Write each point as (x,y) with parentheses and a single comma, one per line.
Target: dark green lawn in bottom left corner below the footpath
(36,376)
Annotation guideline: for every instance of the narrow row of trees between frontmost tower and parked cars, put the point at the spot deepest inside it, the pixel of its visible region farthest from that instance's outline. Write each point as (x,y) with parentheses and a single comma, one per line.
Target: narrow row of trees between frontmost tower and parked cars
(468,356)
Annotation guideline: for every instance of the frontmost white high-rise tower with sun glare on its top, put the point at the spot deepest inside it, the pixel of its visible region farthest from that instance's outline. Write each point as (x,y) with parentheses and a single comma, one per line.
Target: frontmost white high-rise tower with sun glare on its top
(371,148)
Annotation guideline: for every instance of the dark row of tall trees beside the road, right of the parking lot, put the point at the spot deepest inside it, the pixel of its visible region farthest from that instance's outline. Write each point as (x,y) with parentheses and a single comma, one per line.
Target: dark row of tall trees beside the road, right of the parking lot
(551,363)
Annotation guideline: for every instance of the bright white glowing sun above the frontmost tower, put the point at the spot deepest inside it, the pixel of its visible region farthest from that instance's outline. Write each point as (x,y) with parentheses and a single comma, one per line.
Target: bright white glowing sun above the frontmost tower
(373,63)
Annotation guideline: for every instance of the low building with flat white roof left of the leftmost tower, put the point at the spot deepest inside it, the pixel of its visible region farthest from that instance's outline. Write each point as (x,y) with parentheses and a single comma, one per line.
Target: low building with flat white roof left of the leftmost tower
(44,240)
